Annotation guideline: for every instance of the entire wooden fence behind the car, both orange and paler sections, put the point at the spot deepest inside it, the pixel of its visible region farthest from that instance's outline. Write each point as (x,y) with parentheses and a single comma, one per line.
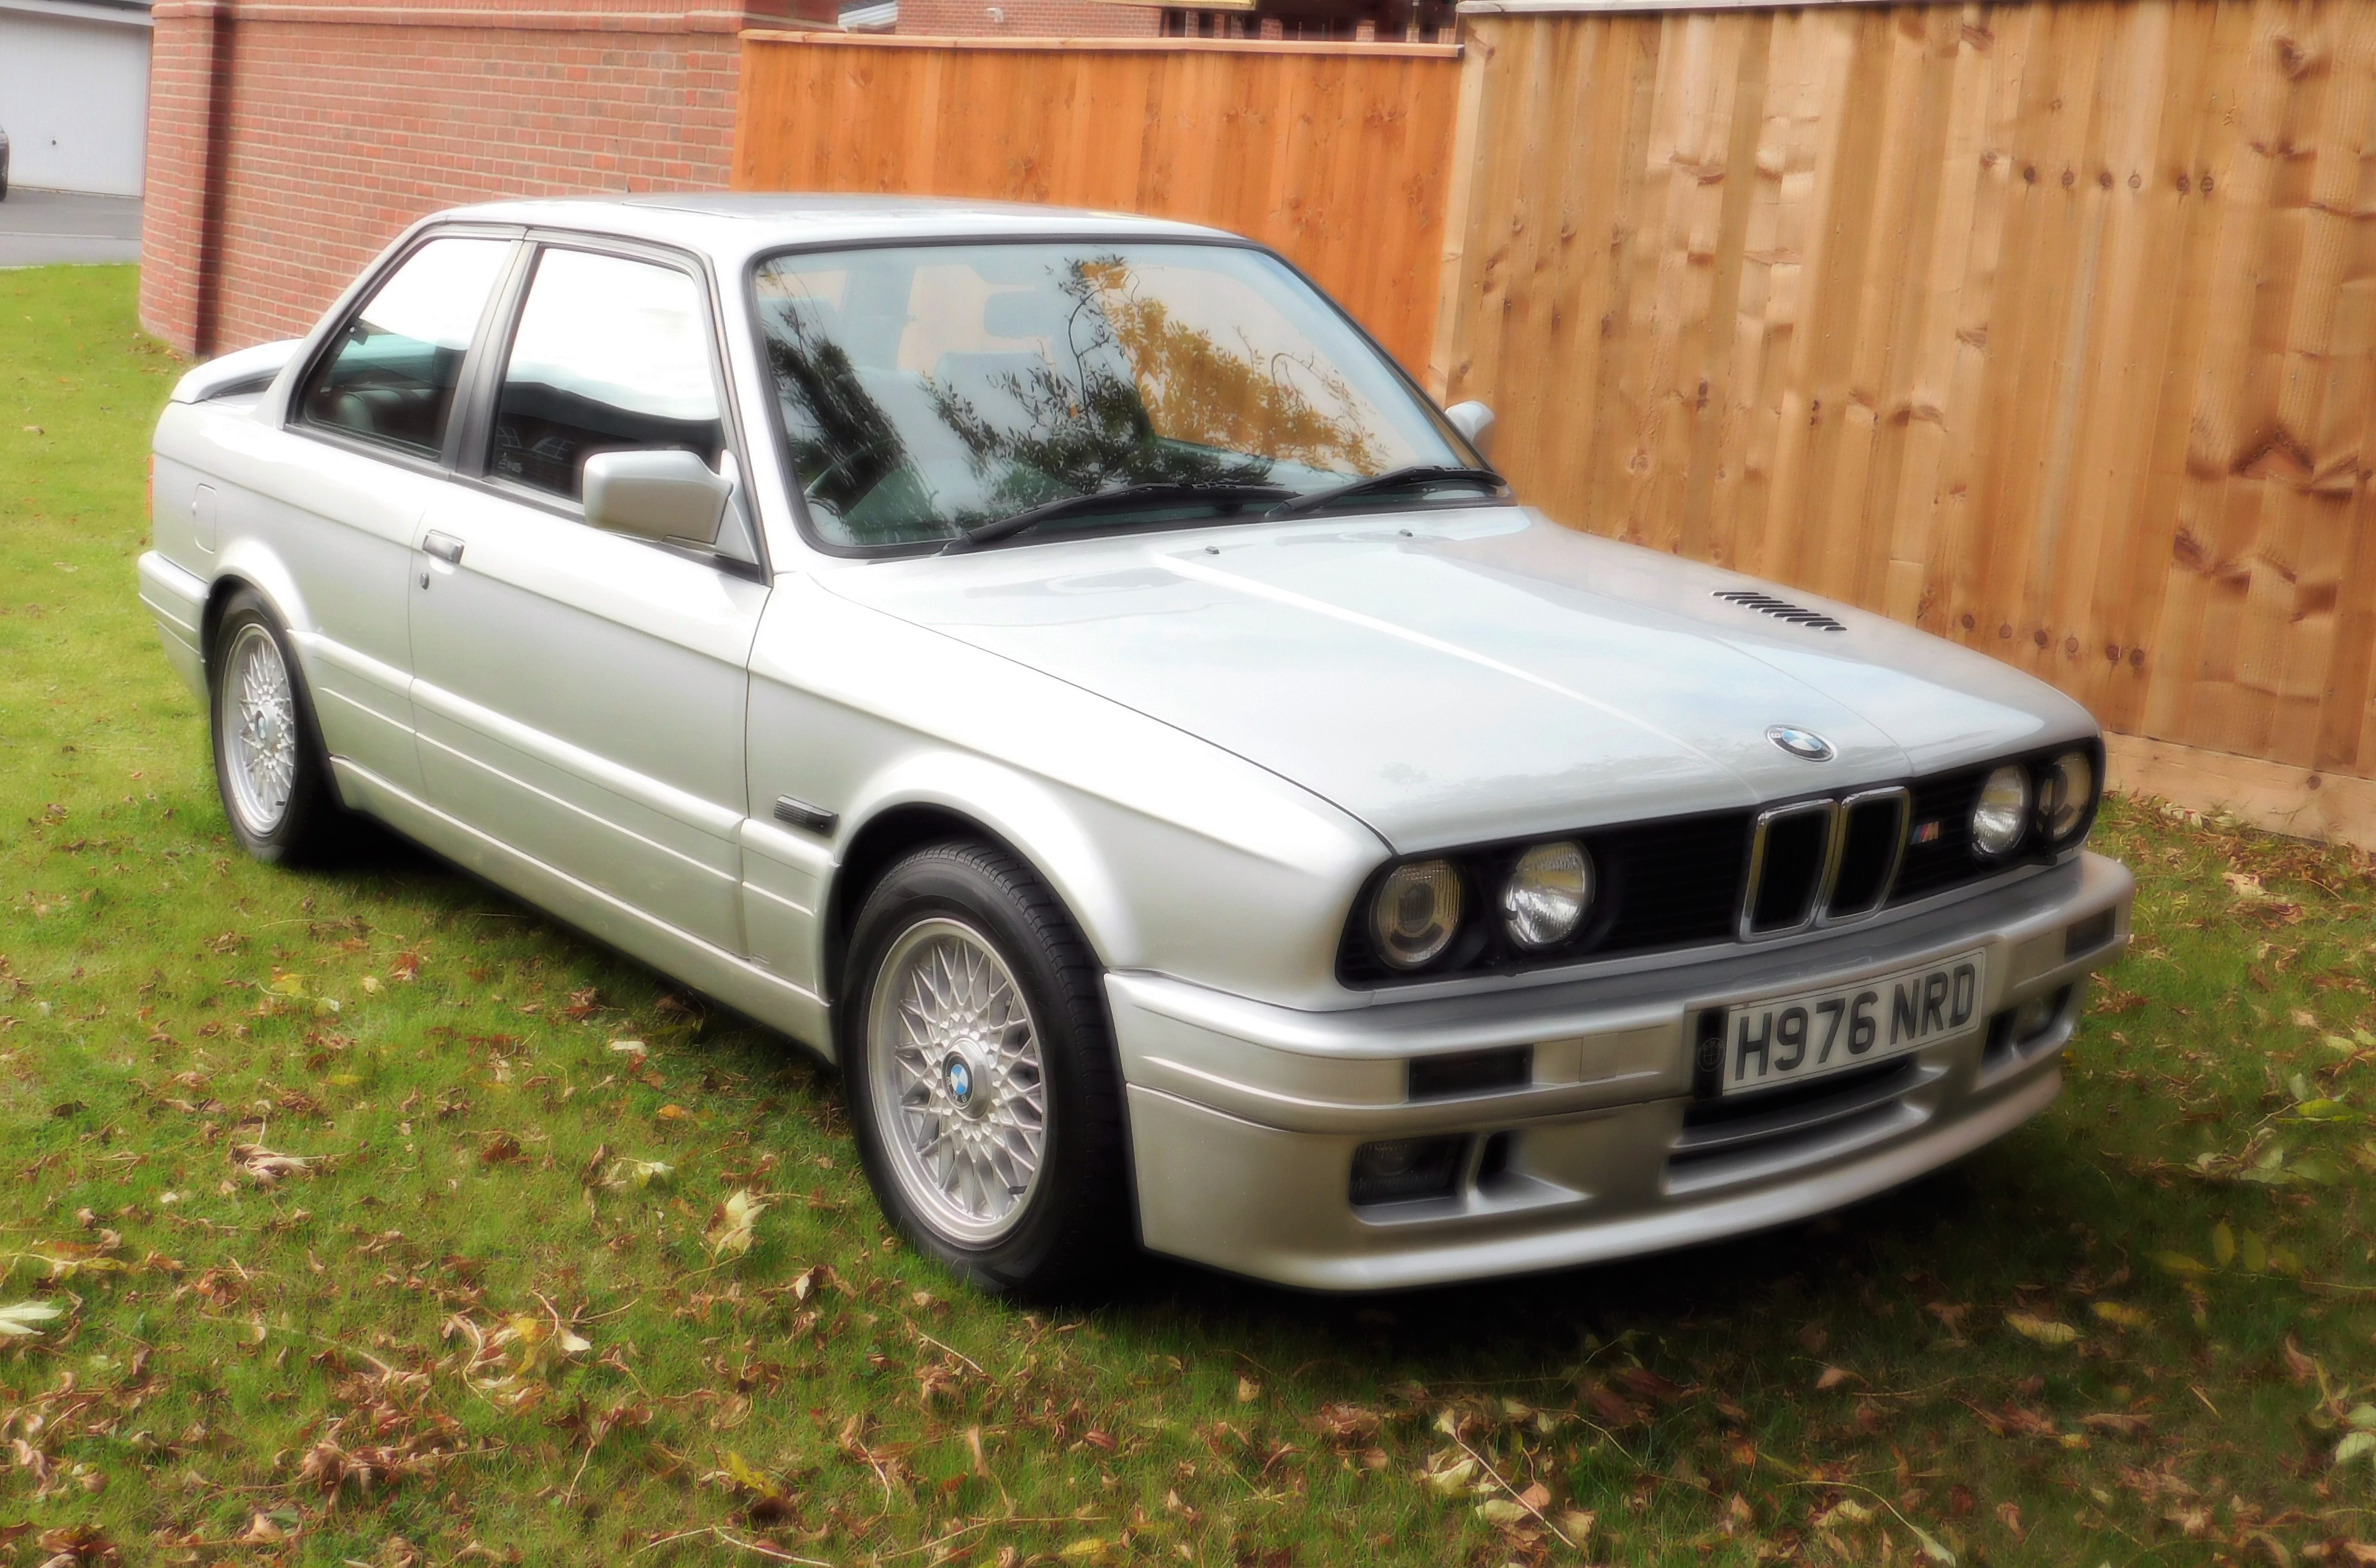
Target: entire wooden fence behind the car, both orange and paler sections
(2047,327)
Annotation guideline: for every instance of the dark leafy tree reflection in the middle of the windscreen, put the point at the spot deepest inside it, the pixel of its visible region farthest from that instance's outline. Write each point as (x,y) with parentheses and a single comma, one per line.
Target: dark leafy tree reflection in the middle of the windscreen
(1085,424)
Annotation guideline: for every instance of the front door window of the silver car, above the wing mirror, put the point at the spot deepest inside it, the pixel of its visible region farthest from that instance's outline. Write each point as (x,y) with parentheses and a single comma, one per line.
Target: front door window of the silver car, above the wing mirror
(612,355)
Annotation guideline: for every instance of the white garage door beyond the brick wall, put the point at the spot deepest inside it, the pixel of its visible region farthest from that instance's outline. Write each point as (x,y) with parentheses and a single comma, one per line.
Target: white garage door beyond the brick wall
(75,103)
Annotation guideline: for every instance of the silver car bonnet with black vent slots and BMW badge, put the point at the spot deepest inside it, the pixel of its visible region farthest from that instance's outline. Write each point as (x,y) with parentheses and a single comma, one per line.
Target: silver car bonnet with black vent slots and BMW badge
(1470,676)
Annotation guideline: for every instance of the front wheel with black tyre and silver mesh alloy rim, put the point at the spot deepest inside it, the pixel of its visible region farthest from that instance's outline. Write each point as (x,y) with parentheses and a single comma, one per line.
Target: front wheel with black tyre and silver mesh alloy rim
(982,1077)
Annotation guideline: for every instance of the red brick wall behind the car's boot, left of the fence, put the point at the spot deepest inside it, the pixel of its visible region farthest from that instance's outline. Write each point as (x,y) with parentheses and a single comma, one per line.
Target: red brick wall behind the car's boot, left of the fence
(289,144)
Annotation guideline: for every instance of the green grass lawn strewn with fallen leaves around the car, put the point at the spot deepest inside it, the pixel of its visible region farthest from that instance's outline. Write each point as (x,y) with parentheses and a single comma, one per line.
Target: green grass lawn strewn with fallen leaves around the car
(374,1239)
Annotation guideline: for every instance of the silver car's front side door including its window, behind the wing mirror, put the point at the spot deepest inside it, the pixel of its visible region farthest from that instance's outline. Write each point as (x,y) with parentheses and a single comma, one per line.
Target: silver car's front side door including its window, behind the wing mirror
(581,695)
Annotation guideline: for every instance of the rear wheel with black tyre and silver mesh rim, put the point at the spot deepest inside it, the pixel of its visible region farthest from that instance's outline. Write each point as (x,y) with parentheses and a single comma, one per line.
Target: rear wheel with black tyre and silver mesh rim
(267,747)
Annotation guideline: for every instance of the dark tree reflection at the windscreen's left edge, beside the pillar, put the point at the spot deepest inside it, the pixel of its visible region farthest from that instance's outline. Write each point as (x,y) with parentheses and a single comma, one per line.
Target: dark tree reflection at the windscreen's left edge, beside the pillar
(842,443)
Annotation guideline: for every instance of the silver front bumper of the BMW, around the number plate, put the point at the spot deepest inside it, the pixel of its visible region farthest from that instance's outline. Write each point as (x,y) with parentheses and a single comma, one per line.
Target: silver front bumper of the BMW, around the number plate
(1246,1118)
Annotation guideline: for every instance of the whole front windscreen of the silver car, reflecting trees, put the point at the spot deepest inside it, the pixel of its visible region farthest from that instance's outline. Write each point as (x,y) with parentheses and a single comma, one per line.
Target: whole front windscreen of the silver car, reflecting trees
(935,391)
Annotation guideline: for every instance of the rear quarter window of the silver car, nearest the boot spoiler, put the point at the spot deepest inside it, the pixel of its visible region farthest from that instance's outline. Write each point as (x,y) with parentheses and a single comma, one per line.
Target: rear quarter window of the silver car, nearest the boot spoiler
(393,369)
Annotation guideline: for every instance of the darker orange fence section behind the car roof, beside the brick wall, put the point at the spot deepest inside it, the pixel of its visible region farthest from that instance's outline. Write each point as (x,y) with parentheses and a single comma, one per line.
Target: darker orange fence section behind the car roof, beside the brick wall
(1332,153)
